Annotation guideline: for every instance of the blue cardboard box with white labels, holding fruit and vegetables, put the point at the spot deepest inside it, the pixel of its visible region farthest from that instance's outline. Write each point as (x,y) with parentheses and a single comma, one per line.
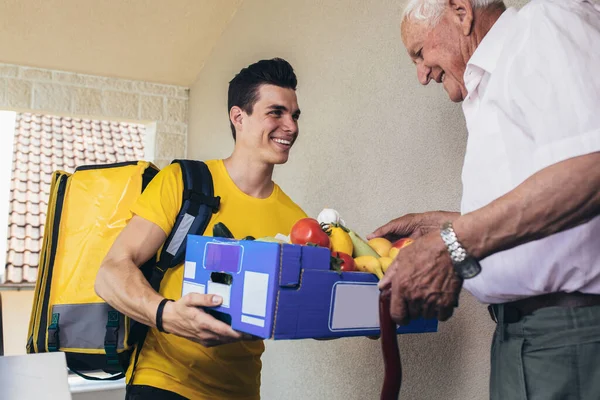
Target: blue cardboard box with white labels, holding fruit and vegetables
(284,291)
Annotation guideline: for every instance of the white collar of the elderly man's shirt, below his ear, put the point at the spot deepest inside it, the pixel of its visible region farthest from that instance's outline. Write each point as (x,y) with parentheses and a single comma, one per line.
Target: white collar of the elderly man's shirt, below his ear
(489,50)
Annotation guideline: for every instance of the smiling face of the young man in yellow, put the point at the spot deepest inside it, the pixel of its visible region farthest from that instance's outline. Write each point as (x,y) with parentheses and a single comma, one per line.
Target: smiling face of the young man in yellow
(270,131)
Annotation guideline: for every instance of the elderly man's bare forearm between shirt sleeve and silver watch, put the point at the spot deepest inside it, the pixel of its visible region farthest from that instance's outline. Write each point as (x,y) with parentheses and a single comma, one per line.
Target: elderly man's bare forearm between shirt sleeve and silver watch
(554,199)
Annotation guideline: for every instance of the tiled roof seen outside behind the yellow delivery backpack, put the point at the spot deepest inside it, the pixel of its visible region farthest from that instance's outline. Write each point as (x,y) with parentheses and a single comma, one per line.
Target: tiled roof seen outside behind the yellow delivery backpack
(42,145)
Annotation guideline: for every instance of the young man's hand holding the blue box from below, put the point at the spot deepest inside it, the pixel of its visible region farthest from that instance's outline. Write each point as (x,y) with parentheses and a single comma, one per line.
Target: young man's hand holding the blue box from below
(187,319)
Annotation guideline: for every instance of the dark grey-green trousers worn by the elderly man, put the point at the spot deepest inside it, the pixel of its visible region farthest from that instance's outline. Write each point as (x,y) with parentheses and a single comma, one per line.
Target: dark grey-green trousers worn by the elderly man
(553,354)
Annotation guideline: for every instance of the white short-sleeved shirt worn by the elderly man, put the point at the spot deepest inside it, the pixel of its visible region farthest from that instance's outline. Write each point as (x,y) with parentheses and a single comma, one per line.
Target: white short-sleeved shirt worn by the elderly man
(533,100)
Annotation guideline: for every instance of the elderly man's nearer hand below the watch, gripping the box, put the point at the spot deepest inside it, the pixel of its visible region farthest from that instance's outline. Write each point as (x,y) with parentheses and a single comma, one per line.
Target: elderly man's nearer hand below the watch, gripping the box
(422,281)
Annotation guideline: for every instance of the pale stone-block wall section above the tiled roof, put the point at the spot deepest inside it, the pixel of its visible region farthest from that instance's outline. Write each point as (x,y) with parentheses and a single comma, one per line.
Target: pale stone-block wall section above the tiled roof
(163,107)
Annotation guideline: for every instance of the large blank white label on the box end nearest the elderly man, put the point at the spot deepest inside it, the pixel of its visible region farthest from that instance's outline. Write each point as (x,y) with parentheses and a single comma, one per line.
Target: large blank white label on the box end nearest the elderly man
(354,306)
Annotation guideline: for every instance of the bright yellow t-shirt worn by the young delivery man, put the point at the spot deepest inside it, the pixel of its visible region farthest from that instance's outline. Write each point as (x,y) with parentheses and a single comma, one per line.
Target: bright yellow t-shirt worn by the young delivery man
(179,365)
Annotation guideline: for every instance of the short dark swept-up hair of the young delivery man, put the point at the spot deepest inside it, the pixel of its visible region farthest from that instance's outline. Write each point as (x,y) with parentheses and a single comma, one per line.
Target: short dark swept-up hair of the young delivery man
(243,88)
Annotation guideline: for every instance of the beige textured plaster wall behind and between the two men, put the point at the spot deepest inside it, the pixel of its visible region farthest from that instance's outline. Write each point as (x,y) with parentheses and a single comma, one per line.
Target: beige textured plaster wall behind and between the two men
(374,144)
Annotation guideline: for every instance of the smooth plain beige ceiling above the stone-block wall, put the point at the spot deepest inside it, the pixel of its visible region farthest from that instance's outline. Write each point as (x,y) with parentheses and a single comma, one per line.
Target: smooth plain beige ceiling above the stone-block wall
(165,41)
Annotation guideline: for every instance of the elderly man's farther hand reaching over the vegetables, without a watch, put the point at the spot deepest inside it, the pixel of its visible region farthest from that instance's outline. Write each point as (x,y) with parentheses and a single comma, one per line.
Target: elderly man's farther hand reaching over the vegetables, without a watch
(413,225)
